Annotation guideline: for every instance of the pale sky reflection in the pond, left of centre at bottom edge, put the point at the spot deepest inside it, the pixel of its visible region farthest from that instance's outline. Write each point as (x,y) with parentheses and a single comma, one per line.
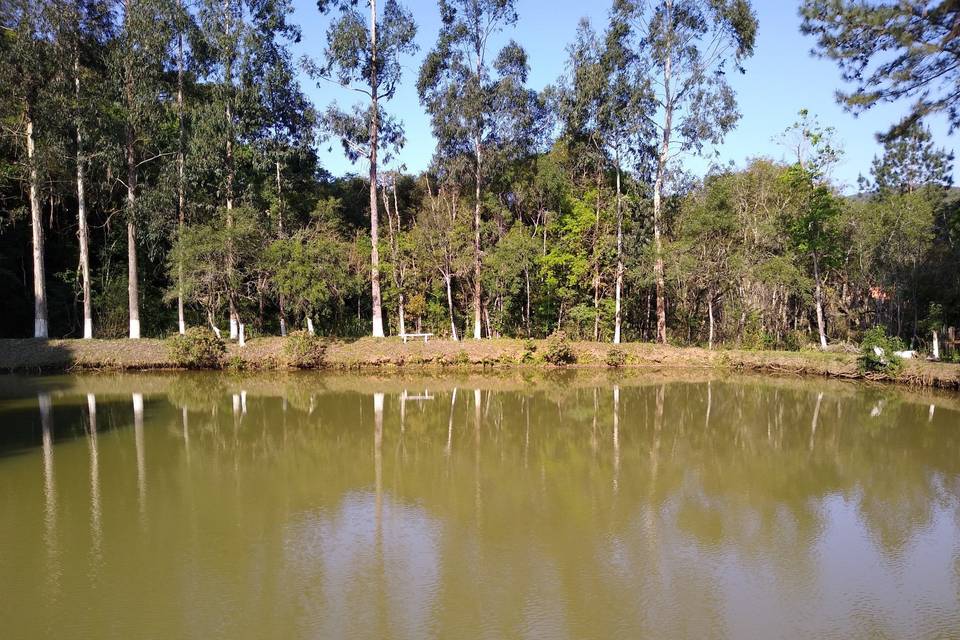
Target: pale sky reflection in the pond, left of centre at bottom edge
(336,557)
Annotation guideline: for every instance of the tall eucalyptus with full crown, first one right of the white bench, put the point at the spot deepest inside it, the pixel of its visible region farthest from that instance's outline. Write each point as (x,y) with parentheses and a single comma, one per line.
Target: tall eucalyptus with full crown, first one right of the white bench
(477,102)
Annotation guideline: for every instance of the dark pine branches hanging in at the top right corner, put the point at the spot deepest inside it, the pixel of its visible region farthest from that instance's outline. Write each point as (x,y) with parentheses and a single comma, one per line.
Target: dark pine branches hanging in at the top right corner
(890,51)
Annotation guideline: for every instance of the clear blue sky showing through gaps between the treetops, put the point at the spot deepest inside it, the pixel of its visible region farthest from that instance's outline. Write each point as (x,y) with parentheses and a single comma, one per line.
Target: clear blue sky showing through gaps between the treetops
(781,78)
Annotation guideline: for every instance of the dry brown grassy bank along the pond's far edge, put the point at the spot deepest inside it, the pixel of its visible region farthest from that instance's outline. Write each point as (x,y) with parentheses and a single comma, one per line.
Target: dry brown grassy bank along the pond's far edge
(267,353)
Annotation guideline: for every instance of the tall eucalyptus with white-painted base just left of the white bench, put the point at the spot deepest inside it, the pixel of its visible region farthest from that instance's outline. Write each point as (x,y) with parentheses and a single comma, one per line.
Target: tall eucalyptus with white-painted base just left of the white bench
(365,53)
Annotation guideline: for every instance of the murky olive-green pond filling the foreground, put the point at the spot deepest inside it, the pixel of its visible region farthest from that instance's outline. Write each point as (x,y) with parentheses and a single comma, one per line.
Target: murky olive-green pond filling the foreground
(508,505)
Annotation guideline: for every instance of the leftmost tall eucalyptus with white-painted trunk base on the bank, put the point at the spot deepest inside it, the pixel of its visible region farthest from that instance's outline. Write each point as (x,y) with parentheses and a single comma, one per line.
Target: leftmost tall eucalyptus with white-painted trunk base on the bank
(25,61)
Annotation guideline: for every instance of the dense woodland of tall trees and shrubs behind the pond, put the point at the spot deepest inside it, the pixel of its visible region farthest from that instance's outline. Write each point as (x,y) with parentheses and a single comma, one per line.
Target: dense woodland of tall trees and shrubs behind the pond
(159,169)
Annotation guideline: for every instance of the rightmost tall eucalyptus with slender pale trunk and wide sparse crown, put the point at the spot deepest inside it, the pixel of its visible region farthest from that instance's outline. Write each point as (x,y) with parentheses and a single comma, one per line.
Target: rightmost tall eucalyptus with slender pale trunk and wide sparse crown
(687,47)
